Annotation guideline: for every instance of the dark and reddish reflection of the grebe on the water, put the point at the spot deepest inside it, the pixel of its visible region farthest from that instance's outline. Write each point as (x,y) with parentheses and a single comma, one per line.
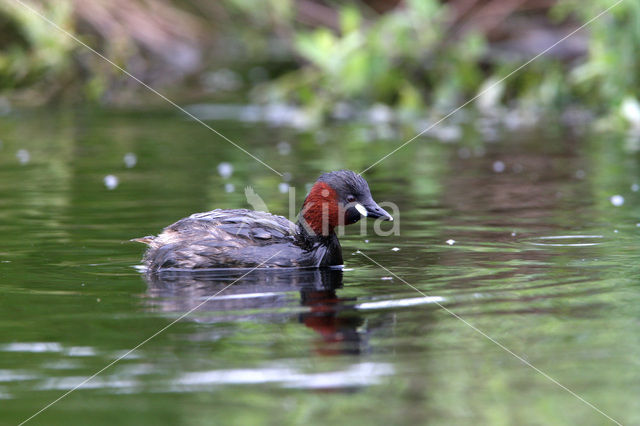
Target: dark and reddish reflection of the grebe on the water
(264,296)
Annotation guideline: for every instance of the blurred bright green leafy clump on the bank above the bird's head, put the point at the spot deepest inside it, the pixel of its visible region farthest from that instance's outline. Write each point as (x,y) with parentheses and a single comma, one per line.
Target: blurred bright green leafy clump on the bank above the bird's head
(403,58)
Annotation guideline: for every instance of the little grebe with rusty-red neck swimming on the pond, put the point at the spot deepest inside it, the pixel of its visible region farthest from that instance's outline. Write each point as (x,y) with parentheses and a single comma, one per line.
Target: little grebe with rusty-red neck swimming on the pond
(245,238)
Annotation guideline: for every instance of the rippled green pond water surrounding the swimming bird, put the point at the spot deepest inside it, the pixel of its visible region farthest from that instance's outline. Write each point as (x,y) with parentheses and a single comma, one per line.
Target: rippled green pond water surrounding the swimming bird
(541,261)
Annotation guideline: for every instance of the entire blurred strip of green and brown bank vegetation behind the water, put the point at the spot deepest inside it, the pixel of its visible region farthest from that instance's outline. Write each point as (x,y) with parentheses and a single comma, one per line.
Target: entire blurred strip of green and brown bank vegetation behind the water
(410,59)
